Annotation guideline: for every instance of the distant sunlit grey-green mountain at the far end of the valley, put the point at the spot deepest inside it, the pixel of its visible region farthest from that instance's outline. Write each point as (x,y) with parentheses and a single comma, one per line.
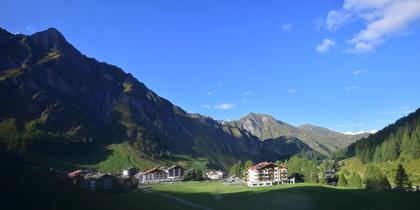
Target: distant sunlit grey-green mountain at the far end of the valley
(320,139)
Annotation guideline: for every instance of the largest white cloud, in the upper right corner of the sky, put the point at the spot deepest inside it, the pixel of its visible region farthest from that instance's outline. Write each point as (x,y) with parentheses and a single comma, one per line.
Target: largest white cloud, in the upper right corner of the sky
(384,19)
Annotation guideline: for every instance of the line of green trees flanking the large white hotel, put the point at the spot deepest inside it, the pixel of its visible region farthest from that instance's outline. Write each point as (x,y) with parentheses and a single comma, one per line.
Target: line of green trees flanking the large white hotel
(311,171)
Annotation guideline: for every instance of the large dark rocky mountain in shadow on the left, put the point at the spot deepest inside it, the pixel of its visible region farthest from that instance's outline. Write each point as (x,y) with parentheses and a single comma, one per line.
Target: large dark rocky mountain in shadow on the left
(46,84)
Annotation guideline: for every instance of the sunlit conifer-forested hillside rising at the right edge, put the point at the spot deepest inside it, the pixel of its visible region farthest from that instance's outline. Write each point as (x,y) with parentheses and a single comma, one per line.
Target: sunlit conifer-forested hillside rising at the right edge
(397,145)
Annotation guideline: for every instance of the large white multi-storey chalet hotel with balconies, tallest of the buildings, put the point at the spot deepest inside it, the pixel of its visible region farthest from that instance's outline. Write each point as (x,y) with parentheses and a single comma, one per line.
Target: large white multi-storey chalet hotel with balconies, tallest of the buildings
(267,174)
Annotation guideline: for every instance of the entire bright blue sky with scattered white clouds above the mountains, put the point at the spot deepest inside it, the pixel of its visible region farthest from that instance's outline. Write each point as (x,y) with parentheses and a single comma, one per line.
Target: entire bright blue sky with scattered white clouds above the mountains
(347,65)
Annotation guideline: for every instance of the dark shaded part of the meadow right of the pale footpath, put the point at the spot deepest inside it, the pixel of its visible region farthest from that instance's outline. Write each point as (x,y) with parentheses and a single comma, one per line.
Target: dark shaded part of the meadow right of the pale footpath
(301,197)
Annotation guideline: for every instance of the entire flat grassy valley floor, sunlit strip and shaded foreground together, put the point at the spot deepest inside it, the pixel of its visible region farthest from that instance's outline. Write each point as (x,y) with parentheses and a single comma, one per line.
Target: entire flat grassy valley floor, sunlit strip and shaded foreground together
(230,197)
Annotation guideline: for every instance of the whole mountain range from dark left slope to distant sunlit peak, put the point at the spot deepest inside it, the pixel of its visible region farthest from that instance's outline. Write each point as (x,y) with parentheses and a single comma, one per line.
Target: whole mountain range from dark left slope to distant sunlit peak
(54,99)
